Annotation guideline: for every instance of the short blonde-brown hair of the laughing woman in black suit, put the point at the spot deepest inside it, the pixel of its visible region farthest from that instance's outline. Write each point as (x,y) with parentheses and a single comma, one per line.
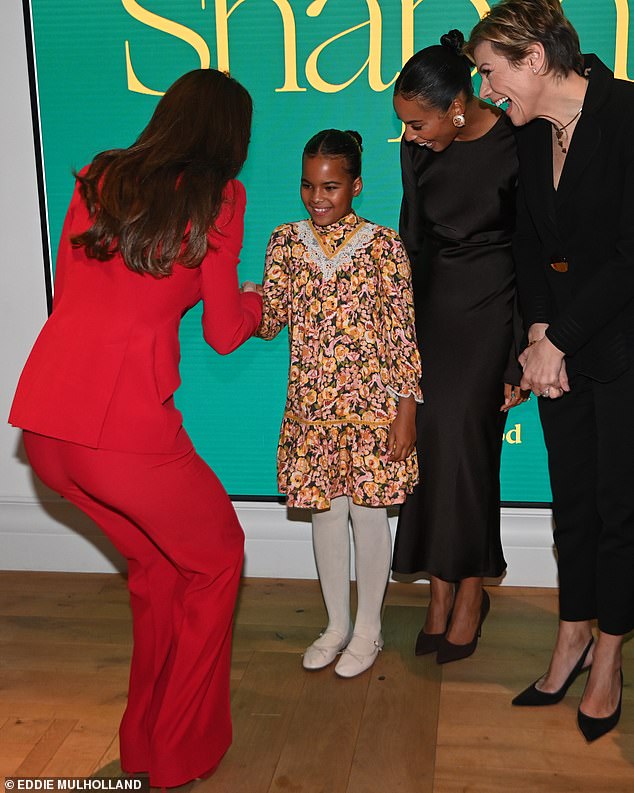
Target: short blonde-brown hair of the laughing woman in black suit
(512,26)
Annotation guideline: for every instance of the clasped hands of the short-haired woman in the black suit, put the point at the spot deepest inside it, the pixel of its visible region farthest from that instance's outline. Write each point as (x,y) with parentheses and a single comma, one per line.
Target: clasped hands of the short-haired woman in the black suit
(544,365)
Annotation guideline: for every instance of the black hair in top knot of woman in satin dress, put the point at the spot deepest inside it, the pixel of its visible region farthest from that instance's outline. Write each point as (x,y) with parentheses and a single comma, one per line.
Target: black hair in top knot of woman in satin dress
(436,75)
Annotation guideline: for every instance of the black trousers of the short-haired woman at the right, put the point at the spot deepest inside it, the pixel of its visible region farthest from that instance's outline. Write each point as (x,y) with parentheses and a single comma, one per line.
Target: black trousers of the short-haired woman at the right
(589,436)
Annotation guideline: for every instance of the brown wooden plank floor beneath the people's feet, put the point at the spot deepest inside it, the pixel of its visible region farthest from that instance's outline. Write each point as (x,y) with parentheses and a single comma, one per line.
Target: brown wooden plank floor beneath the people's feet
(407,726)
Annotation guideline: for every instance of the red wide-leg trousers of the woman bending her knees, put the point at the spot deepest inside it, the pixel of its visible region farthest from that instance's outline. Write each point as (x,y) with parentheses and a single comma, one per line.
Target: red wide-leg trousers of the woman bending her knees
(171,518)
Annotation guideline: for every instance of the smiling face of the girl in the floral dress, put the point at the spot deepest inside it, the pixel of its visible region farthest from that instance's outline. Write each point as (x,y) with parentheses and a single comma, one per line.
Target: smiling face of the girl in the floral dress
(327,189)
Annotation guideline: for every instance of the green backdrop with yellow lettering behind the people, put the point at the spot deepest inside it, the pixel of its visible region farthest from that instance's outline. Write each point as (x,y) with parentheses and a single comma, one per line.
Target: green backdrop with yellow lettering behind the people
(100,66)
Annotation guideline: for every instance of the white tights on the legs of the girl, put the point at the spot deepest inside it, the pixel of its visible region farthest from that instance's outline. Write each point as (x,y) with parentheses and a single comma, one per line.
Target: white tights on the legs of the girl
(373,552)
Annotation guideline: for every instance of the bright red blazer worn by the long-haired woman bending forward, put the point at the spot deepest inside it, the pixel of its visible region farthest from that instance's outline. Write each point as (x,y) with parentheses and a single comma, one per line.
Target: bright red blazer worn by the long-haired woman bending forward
(104,368)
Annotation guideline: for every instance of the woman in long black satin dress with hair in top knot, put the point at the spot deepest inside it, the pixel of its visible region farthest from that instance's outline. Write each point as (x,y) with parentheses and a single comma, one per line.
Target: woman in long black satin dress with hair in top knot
(459,169)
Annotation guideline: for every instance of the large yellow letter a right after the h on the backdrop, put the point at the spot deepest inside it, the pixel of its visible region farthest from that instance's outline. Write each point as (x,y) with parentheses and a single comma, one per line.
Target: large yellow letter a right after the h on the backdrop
(372,62)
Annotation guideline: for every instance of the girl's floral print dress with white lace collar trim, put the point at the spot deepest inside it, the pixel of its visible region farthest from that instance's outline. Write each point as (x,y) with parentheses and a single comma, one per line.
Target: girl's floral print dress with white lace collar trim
(344,290)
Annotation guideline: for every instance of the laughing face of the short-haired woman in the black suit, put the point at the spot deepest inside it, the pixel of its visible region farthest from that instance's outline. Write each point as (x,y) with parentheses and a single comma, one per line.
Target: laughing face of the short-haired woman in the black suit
(515,83)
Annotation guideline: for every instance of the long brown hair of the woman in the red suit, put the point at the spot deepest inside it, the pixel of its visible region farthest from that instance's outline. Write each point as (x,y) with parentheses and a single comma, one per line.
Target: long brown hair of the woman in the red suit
(155,201)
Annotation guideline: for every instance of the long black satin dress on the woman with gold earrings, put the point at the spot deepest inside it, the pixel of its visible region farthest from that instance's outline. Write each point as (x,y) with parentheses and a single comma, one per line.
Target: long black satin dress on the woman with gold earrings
(456,222)
